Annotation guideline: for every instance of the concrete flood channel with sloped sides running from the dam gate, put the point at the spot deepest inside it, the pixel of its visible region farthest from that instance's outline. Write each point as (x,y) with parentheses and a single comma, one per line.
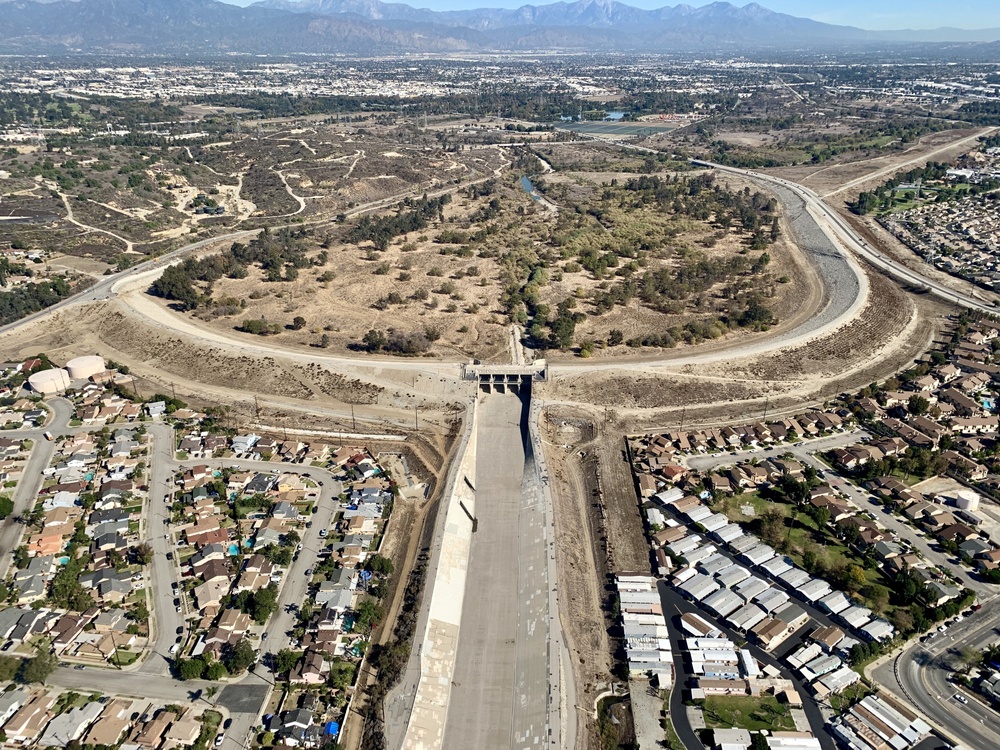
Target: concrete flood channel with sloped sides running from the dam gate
(485,670)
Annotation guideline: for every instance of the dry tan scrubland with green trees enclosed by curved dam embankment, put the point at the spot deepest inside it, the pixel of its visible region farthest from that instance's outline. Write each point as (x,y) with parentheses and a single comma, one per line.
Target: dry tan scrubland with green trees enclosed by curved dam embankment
(635,253)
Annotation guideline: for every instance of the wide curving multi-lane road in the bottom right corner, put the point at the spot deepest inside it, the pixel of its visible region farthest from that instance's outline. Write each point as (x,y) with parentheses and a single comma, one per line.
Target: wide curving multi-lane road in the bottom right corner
(920,674)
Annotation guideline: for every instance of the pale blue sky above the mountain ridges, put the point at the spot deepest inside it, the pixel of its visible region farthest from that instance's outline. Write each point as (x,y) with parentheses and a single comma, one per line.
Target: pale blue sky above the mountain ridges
(866,14)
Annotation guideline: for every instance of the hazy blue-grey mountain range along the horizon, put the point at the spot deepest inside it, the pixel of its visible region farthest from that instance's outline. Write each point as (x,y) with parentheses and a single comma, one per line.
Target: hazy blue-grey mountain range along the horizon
(372,27)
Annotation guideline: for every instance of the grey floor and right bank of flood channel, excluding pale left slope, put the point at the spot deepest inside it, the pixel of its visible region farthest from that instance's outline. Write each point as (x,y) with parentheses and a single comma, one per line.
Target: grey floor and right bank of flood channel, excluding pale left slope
(500,689)
